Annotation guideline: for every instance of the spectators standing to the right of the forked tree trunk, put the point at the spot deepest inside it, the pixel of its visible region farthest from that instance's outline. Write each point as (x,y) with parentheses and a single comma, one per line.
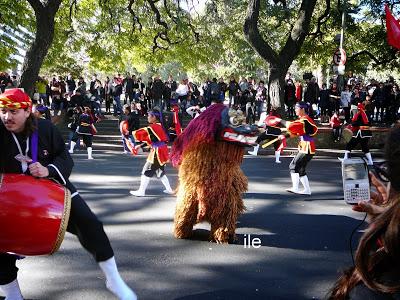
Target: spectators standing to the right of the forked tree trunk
(381,99)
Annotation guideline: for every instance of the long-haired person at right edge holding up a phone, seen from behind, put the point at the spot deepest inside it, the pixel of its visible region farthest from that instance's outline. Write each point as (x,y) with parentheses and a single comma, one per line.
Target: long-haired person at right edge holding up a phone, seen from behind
(376,273)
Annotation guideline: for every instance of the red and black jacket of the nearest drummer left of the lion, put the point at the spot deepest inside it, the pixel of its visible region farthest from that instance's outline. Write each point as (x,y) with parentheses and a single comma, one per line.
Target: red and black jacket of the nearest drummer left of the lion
(154,136)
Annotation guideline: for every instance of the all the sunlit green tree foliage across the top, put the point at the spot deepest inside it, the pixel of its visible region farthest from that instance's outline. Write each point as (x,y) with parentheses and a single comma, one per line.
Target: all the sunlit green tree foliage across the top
(104,36)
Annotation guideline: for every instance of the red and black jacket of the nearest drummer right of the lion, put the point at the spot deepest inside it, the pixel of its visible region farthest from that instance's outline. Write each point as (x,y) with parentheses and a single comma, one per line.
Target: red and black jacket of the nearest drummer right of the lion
(305,128)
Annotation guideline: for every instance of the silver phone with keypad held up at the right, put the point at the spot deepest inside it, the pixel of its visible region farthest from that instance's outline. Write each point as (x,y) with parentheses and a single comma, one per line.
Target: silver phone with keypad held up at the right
(356,185)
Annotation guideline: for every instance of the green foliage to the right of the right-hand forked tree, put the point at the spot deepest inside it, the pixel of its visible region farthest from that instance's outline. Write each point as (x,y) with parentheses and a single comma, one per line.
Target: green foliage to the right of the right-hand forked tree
(364,30)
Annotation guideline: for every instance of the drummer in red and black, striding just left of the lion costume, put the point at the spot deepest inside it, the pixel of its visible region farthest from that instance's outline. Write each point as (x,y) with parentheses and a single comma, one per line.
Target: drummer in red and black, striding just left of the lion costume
(153,135)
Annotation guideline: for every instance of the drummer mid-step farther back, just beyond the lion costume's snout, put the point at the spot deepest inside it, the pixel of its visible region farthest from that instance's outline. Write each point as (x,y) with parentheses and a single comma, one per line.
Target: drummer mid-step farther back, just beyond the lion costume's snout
(272,131)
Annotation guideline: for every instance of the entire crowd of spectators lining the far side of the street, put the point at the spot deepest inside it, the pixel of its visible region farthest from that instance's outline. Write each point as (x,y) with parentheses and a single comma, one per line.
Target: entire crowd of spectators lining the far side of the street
(381,99)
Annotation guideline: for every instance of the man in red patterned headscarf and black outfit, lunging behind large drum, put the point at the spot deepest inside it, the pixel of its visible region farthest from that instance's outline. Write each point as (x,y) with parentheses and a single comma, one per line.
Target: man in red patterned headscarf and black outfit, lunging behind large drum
(53,161)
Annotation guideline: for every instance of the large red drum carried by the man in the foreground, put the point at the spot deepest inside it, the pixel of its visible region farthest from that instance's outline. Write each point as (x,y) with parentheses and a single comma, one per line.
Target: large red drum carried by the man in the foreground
(34,214)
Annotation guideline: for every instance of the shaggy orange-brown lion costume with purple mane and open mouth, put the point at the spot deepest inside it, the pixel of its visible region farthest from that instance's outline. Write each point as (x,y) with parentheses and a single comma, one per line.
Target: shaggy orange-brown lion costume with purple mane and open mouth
(209,153)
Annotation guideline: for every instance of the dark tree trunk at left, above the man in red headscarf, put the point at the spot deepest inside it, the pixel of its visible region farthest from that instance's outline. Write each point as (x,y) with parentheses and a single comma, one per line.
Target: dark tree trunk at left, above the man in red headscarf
(37,52)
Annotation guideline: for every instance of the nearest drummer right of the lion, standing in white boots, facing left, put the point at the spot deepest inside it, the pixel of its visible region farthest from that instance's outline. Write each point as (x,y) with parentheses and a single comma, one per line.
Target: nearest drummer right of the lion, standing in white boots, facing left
(305,129)
